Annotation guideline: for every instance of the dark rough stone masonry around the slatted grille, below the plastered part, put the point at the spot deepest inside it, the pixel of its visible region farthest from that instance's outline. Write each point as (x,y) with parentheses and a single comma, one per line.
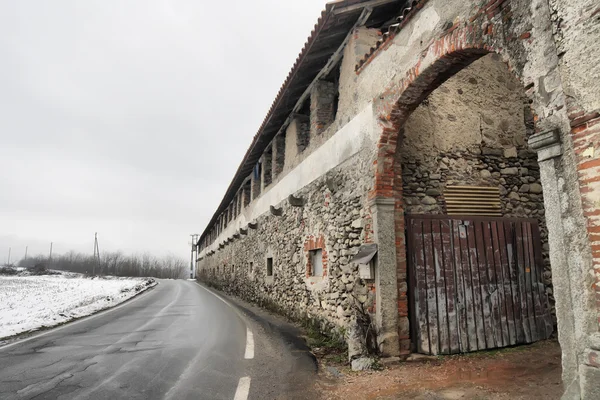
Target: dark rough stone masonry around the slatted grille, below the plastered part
(514,171)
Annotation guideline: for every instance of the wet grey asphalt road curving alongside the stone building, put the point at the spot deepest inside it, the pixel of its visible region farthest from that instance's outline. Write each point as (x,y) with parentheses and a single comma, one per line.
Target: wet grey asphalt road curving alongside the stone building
(177,341)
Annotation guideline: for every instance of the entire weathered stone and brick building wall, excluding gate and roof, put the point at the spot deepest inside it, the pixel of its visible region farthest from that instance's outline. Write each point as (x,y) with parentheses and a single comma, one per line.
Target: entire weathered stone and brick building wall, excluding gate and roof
(549,46)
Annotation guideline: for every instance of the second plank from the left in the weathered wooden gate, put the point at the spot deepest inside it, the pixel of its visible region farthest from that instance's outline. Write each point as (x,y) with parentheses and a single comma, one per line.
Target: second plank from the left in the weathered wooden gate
(431,285)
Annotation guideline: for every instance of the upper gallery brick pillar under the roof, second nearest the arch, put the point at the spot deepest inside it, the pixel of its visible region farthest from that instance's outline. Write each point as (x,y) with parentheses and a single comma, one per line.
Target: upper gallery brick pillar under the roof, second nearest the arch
(322,106)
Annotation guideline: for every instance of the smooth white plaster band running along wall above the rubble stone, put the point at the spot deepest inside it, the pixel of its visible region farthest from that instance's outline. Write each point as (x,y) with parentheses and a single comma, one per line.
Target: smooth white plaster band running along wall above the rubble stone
(344,144)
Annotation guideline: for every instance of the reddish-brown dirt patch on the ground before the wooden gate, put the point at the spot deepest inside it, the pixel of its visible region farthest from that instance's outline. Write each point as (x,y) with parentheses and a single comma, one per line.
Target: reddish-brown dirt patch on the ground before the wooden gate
(525,372)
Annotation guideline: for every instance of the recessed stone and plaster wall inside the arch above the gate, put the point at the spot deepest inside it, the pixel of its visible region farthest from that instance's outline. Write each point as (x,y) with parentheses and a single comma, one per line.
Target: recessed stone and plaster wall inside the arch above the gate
(472,131)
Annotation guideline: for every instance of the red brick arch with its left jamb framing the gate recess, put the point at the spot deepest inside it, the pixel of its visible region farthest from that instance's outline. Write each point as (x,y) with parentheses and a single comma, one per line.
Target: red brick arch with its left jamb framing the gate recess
(442,60)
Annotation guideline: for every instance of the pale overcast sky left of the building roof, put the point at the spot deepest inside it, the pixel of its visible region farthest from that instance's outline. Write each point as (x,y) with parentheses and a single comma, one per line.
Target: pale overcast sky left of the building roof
(129,117)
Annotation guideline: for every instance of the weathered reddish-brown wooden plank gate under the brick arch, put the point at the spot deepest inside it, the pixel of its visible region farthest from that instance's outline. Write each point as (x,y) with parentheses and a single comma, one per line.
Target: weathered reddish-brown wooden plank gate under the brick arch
(475,283)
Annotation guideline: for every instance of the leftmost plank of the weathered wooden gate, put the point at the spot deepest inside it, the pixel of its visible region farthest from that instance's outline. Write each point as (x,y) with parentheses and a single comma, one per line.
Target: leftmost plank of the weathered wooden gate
(420,289)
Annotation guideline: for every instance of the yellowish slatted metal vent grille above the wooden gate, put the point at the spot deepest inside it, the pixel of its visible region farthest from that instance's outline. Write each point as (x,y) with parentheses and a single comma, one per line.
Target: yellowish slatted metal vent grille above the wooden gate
(473,200)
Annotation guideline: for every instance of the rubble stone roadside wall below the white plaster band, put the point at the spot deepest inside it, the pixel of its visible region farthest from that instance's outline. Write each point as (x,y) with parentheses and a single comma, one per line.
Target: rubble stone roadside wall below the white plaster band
(332,218)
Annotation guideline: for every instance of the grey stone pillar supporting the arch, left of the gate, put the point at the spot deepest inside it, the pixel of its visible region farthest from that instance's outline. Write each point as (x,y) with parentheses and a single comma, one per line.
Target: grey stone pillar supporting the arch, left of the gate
(383,211)
